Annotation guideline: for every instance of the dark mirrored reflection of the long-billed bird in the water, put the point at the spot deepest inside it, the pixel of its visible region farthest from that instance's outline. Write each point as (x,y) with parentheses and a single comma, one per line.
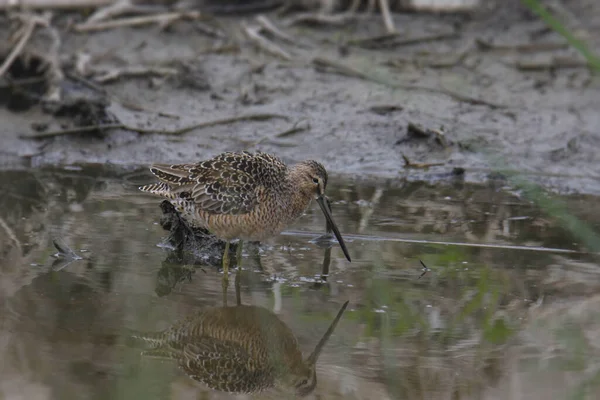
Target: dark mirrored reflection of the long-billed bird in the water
(239,349)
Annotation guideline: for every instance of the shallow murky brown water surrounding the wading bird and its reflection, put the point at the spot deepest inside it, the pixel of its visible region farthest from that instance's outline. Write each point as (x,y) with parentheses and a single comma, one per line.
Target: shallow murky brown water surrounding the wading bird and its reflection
(508,308)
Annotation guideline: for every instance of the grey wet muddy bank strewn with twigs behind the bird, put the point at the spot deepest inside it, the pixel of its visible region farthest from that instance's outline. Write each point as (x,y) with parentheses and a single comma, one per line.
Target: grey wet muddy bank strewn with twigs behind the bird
(485,91)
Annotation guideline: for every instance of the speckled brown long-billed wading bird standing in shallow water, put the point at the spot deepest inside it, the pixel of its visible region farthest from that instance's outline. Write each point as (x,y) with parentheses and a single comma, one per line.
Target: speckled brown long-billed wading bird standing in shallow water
(243,196)
